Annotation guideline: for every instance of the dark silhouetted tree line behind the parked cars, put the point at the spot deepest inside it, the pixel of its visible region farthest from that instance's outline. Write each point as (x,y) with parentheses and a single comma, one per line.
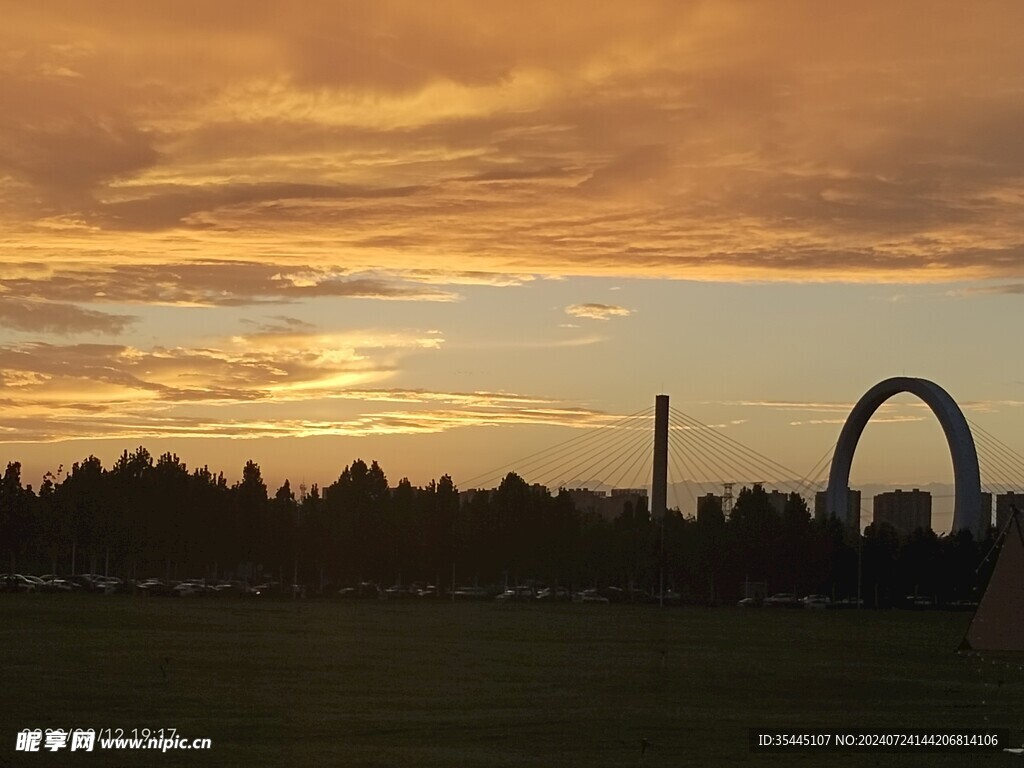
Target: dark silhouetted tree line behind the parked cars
(145,518)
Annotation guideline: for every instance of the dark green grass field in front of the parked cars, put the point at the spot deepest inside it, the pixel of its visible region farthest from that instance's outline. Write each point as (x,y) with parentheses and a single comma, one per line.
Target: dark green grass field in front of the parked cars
(485,685)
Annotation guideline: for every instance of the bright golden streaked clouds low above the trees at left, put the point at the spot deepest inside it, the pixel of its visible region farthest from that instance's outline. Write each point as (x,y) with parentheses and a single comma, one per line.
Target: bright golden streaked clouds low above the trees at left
(264,385)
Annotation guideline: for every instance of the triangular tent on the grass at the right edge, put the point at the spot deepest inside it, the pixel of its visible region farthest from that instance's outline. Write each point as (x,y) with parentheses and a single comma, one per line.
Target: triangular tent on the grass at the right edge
(999,623)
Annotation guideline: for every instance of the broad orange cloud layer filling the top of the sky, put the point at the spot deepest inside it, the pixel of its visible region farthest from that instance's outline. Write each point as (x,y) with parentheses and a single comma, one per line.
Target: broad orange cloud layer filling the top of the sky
(709,142)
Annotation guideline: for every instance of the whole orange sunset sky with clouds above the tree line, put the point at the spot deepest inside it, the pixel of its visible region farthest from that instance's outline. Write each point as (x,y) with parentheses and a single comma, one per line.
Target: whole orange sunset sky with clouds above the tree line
(447,235)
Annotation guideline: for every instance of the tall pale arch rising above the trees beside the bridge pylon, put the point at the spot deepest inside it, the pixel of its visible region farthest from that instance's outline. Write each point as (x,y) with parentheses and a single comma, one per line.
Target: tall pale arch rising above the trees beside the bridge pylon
(967,478)
